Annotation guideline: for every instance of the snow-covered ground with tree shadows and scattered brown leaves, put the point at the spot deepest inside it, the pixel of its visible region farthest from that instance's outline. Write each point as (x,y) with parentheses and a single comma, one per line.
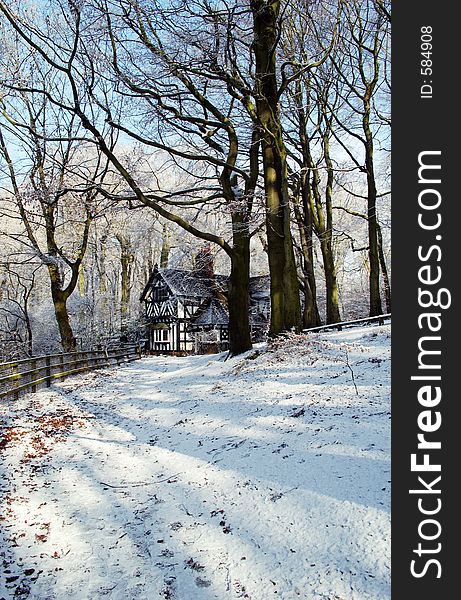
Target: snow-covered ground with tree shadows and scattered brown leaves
(263,476)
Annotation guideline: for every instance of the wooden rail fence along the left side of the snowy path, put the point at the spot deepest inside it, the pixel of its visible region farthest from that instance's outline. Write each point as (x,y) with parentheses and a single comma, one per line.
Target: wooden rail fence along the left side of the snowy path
(30,374)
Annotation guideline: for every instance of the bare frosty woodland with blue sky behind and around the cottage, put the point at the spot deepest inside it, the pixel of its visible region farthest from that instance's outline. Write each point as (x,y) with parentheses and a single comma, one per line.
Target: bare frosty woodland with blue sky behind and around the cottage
(132,132)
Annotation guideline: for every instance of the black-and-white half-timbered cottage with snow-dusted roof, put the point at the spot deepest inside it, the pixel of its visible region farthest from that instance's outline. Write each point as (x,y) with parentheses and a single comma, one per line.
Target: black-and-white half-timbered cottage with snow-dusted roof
(186,311)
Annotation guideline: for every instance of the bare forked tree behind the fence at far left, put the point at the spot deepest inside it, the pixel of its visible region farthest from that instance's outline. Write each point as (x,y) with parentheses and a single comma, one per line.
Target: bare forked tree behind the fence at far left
(53,199)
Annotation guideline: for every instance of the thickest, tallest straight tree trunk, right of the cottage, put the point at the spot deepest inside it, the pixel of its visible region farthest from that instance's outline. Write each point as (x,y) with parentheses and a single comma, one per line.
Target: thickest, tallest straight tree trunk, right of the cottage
(285,302)
